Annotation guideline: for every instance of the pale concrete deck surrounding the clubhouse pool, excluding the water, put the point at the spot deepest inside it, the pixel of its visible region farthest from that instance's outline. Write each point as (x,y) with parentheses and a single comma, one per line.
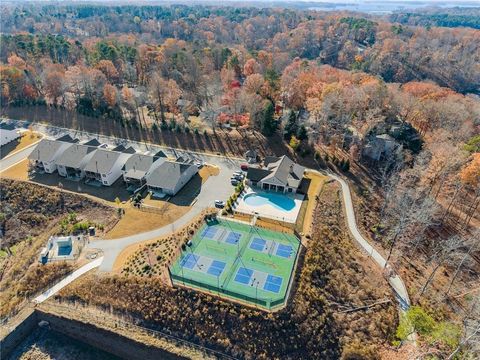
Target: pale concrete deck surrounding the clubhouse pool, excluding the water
(269,211)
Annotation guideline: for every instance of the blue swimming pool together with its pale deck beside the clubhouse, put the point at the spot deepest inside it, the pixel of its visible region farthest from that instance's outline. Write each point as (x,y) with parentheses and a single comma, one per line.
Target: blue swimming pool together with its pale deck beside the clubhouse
(274,205)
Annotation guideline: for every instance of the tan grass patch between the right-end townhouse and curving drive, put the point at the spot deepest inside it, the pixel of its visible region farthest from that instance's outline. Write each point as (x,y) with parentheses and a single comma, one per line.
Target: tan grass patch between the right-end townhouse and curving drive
(135,221)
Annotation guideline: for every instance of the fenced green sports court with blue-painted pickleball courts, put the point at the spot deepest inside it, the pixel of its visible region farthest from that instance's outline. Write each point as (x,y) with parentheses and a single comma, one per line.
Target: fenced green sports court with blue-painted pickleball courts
(238,261)
